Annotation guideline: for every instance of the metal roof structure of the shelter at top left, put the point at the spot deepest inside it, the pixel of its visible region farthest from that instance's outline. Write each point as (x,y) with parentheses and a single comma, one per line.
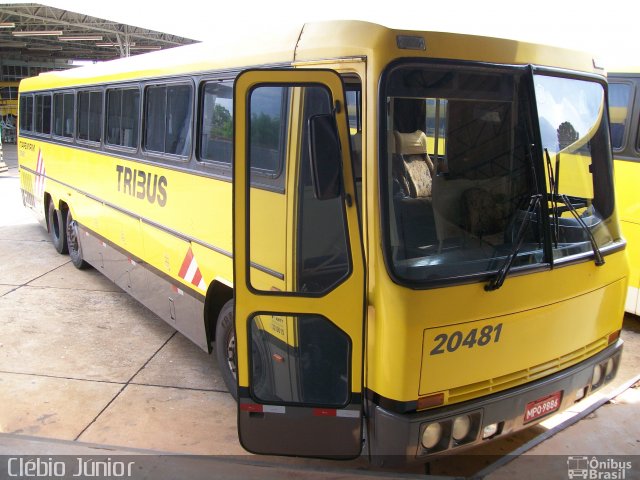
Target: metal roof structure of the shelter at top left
(31,32)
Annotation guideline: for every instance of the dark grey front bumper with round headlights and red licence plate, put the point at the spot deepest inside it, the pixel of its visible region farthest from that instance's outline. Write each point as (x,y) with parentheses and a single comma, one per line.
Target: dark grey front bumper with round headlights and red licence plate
(397,438)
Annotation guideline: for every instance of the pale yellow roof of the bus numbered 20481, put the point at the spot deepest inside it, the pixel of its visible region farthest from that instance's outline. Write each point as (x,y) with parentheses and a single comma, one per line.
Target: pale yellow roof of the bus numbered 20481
(311,42)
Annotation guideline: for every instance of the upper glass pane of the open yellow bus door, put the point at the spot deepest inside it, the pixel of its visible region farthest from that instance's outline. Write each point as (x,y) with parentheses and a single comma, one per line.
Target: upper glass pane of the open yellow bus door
(318,242)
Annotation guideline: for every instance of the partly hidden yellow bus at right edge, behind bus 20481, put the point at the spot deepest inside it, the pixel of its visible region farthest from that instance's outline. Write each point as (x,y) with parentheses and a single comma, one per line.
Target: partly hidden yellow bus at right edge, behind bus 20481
(624,108)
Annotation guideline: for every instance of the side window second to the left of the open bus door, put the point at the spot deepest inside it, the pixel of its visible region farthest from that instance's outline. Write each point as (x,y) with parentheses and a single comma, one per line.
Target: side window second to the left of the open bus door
(168,111)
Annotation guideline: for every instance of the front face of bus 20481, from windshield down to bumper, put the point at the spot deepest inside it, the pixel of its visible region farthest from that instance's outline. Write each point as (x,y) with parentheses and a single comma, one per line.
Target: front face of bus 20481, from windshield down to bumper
(497,300)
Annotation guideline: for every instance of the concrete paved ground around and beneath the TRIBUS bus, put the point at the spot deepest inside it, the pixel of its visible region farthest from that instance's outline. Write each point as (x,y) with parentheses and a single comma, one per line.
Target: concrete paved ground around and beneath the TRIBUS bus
(82,365)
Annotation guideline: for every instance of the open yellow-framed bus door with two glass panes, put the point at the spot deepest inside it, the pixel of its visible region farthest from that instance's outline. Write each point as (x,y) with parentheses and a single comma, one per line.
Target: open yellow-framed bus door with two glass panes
(299,350)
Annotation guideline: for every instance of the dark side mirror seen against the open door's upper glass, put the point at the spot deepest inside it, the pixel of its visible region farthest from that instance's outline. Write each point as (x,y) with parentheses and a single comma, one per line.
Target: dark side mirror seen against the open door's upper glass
(325,156)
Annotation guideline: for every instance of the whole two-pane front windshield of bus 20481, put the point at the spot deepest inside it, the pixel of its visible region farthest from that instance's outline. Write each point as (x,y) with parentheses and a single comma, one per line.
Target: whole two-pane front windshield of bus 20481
(464,181)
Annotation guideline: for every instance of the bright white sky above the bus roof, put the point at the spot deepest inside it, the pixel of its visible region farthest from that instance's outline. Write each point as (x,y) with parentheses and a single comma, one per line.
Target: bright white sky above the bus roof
(607,29)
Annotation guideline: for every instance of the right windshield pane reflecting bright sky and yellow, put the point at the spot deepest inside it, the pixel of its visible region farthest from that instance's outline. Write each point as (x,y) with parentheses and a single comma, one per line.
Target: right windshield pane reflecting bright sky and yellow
(575,140)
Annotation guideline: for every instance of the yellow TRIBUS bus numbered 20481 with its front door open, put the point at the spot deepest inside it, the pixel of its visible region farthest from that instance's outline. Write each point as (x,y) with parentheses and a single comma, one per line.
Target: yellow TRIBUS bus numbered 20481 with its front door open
(400,243)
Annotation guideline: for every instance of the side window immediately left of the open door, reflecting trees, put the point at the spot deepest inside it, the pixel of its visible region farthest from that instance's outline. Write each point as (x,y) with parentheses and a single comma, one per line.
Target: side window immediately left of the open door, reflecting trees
(216,130)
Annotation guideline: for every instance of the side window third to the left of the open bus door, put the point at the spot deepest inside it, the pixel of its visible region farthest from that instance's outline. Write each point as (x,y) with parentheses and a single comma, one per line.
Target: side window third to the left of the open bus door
(123,106)
